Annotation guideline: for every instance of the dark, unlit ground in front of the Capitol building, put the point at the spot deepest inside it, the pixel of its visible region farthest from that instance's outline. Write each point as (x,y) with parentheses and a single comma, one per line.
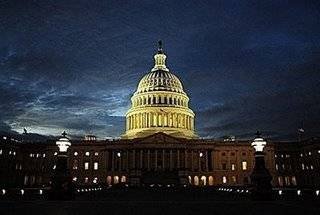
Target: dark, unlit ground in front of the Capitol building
(161,202)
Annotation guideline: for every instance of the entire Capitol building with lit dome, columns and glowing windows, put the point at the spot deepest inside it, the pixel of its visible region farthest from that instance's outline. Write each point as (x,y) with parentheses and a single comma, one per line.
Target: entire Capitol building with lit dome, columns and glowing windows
(160,146)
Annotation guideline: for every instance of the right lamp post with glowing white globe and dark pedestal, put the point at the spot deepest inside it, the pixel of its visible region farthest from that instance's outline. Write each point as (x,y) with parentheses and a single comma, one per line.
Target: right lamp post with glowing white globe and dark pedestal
(260,176)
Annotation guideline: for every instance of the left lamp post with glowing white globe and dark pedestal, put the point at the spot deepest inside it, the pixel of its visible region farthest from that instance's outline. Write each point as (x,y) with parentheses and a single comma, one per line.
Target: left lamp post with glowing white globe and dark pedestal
(61,184)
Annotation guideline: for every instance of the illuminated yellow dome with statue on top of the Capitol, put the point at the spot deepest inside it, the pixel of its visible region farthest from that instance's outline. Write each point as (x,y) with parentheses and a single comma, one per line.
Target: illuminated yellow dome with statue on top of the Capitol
(160,104)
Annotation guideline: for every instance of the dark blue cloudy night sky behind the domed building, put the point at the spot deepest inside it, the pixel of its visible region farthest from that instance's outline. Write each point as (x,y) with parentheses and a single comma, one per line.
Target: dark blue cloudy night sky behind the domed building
(246,65)
